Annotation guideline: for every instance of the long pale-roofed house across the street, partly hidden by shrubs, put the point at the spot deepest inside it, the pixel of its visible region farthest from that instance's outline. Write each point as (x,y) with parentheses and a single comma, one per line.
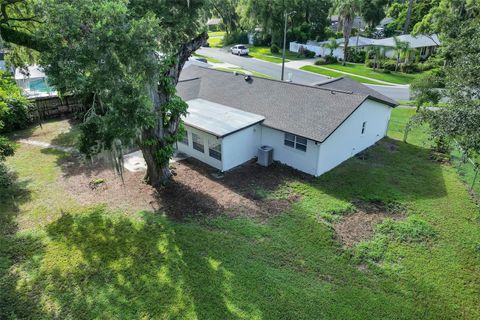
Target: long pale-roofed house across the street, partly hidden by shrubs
(425,45)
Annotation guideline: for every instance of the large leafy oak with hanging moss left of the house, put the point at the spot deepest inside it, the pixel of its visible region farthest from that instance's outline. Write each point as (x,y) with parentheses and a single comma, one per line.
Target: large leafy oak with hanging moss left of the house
(126,58)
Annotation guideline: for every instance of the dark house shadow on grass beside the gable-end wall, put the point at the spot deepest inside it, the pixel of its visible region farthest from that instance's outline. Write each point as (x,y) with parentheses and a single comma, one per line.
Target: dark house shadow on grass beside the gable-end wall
(389,171)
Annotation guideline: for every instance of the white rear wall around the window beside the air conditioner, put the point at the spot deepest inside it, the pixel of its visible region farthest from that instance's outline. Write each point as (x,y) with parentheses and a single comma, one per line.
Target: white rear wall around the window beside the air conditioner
(304,161)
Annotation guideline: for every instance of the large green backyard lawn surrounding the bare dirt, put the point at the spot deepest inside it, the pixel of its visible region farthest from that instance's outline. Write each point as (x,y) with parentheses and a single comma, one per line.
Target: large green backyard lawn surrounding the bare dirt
(61,260)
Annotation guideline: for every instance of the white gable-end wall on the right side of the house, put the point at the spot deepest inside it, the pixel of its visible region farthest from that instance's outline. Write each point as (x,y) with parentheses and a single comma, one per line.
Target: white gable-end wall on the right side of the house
(348,140)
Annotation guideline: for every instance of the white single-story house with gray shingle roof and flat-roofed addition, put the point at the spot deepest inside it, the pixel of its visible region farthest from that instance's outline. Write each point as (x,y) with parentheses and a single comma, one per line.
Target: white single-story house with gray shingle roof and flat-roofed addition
(310,128)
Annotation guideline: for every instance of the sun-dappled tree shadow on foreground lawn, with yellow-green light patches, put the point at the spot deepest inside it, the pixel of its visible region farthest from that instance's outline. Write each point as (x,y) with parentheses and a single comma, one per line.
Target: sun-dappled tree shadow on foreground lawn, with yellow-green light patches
(114,267)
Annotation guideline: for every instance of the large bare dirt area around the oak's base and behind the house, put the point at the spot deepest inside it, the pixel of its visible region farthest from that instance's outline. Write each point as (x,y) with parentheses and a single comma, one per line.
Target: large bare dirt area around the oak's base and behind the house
(195,190)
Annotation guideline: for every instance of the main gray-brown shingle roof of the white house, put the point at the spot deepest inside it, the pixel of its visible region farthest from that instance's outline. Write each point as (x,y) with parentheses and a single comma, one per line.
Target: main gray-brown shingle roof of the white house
(307,111)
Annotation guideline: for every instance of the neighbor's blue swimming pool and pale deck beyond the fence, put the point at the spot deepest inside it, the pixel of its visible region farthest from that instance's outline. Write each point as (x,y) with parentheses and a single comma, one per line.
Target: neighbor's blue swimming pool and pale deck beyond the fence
(33,82)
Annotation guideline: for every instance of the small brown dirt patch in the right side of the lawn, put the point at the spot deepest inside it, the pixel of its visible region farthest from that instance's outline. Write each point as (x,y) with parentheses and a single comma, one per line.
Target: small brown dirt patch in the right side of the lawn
(360,225)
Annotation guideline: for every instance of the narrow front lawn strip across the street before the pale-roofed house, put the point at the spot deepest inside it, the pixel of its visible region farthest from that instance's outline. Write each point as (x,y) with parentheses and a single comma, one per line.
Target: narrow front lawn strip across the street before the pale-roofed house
(362,70)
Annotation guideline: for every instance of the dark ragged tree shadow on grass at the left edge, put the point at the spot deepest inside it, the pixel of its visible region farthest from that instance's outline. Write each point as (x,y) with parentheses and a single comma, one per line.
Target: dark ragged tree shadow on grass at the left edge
(16,249)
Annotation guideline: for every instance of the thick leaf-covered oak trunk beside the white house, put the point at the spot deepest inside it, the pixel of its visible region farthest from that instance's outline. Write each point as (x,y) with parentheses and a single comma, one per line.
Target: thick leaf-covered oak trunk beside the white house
(155,140)
